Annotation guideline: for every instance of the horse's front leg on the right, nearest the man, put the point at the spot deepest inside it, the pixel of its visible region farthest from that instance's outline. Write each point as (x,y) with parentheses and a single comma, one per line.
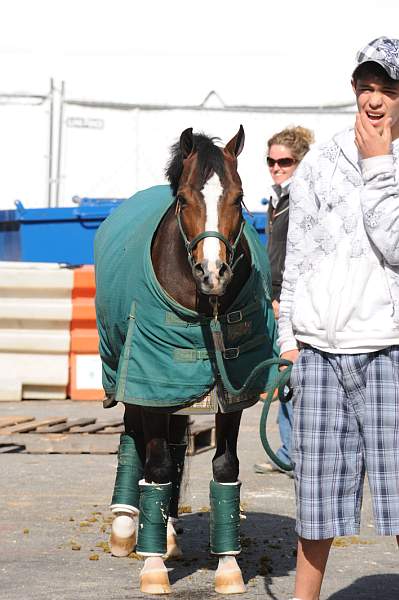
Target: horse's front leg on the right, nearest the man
(225,505)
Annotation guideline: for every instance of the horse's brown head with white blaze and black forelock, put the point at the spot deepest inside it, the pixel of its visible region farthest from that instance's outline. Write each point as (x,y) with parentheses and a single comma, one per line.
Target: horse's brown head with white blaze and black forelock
(209,194)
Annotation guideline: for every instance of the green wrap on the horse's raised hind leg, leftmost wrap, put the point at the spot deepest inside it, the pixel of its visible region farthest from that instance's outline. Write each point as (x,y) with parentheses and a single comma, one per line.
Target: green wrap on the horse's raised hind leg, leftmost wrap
(128,474)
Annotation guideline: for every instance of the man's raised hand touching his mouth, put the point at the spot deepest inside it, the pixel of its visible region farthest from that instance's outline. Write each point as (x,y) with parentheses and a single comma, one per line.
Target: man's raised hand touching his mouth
(369,141)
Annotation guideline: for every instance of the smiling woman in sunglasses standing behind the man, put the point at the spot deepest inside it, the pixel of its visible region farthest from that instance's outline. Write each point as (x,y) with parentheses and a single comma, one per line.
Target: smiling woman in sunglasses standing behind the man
(285,150)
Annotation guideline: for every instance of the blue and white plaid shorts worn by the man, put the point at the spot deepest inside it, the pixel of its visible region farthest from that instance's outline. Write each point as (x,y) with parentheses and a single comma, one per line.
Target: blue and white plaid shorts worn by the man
(346,423)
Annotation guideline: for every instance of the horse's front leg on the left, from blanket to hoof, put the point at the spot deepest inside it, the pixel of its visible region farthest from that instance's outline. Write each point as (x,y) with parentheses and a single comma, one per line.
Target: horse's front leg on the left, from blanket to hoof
(155,495)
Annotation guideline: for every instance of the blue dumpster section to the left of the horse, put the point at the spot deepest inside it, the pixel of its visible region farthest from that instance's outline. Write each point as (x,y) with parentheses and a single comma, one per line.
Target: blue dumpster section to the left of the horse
(63,235)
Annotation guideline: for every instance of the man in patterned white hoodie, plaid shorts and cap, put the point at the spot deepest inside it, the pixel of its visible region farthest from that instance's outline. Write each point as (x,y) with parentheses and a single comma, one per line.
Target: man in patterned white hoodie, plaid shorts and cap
(339,321)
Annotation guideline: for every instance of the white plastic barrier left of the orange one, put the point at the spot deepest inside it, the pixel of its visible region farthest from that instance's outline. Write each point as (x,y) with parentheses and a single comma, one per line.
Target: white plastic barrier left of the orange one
(35,317)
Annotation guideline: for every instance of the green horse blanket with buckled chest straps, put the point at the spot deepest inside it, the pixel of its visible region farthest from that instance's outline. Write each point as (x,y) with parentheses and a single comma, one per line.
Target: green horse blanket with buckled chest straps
(154,351)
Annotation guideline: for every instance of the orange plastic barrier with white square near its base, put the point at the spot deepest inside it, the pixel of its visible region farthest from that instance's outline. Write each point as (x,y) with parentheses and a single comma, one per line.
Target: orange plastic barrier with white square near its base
(84,360)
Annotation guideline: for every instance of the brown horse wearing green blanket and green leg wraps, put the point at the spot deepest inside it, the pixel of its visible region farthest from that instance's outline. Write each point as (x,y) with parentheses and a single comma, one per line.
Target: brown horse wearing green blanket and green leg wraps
(197,259)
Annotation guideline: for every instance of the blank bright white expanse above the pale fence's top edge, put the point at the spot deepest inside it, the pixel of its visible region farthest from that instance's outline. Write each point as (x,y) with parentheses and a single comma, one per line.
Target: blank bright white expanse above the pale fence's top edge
(257,52)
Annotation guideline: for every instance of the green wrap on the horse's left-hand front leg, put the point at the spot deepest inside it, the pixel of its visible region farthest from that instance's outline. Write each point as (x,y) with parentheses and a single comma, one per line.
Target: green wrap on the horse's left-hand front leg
(153,518)
